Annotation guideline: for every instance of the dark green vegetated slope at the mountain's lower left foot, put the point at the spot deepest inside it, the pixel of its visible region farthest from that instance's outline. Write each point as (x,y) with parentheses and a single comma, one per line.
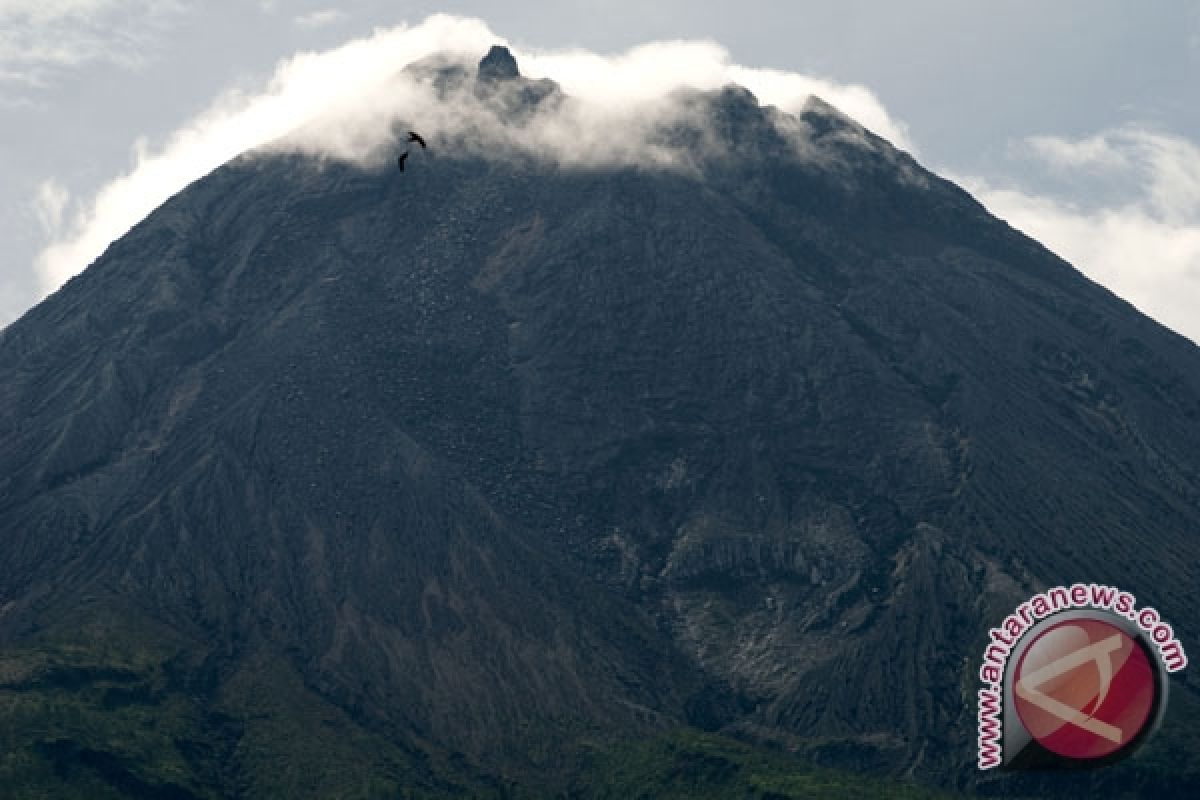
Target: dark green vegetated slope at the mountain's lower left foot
(103,714)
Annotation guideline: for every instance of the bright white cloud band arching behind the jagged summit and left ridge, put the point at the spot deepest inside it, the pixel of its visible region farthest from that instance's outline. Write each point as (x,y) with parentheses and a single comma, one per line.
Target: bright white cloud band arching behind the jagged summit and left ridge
(355,79)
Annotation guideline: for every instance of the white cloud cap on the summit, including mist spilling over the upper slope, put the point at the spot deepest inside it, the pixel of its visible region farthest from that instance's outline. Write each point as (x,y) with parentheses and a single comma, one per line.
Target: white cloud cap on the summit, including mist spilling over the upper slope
(343,104)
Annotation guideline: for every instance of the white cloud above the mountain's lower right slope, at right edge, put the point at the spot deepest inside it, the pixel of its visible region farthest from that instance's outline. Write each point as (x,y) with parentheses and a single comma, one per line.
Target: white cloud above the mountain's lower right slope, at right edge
(1145,248)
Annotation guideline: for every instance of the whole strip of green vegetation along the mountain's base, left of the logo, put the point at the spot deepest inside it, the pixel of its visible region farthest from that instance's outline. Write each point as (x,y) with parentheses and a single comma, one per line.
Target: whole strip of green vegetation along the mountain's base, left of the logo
(123,711)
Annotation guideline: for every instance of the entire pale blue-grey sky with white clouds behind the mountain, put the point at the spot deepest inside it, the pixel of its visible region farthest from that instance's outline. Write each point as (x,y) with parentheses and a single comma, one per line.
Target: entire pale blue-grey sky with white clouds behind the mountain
(1077,122)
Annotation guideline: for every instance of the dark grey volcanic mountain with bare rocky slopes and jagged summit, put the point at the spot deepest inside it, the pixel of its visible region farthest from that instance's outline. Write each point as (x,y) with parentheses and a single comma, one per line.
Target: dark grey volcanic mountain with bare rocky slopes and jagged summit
(502,477)
